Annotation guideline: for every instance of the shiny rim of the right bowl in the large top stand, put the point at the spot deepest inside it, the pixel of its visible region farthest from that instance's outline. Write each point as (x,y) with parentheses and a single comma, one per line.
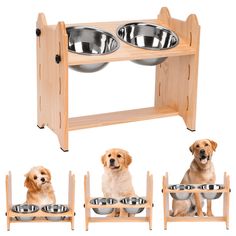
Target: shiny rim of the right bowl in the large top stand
(148,24)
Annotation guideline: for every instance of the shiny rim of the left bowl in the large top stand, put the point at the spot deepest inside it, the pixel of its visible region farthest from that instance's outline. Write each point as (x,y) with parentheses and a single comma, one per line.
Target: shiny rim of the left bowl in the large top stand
(96,29)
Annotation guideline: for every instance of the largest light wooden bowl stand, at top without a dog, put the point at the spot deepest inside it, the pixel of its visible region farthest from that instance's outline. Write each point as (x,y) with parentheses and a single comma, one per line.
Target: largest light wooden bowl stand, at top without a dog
(176,78)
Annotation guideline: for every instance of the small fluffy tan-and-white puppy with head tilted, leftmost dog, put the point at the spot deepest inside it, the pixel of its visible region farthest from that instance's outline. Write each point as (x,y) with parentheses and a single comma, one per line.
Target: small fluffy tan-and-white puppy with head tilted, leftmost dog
(40,191)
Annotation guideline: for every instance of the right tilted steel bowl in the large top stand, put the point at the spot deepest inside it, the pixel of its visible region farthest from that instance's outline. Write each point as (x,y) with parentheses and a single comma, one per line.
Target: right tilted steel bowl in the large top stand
(148,36)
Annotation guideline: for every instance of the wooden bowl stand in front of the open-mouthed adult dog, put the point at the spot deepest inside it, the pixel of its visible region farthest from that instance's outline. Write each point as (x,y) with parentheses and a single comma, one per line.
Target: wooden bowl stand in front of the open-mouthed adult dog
(223,218)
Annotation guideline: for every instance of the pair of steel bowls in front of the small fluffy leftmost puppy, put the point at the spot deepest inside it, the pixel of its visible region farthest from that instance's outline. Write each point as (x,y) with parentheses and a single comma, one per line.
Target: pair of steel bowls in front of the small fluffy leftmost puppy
(30,208)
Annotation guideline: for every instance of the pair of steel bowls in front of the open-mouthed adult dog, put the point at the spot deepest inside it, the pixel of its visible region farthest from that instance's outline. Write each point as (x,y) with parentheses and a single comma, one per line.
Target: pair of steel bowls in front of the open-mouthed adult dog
(186,195)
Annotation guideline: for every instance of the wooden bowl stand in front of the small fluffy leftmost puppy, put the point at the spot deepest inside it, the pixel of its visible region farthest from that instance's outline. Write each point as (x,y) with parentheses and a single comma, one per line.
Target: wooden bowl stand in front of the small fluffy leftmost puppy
(40,215)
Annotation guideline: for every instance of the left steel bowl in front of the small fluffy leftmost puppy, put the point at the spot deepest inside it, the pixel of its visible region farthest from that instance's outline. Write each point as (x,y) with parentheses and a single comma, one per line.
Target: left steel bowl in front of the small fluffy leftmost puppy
(25,209)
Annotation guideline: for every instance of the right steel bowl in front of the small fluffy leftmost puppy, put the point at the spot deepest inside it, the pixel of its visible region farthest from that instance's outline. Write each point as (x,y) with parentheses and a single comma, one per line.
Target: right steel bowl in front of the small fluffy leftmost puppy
(55,209)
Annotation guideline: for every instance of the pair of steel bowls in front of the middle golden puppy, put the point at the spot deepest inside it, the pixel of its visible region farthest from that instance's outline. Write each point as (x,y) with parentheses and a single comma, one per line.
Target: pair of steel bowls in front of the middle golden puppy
(134,201)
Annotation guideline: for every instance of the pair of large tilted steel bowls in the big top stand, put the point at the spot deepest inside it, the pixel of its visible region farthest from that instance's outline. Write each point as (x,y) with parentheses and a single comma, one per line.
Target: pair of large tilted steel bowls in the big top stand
(91,41)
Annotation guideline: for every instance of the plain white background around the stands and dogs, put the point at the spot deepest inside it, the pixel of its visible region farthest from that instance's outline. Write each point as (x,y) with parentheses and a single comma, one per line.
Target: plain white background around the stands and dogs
(158,145)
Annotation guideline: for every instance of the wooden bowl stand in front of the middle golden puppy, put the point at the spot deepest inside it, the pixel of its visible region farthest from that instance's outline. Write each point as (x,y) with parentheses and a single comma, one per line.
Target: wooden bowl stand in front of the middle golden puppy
(148,206)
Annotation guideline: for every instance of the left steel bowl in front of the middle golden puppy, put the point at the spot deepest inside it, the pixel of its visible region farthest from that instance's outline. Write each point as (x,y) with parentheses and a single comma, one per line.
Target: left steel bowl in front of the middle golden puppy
(103,202)
